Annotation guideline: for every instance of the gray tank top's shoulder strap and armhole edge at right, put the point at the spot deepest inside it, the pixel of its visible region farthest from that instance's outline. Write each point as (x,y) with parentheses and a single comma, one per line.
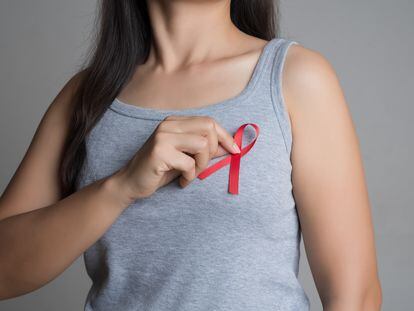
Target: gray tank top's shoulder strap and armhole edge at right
(271,81)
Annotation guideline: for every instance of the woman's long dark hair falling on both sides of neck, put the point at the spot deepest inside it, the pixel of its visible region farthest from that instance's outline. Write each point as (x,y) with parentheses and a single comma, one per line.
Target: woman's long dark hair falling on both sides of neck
(122,40)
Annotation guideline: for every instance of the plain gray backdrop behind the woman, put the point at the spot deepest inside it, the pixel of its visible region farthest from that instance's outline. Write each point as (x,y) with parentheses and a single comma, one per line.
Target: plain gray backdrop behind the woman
(368,42)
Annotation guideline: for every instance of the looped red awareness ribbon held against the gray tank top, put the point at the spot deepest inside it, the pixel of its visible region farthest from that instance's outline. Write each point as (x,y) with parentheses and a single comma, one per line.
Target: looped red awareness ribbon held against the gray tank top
(233,159)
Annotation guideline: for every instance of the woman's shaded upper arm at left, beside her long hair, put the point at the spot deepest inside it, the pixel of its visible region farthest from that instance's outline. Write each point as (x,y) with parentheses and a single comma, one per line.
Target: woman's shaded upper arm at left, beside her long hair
(35,183)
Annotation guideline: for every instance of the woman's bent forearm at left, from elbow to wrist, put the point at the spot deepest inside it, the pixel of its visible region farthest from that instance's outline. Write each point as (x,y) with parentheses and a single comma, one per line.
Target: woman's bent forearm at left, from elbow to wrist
(37,246)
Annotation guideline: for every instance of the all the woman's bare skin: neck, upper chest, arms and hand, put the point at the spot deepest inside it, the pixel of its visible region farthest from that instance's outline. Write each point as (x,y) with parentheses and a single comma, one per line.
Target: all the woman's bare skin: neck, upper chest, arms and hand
(44,233)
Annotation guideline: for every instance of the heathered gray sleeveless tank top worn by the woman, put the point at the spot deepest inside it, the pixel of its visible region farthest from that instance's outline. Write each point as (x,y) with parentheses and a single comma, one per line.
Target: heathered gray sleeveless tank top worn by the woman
(201,247)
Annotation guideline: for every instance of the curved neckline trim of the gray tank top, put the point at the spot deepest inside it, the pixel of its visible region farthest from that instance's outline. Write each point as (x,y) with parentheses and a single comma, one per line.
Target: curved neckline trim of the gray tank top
(135,111)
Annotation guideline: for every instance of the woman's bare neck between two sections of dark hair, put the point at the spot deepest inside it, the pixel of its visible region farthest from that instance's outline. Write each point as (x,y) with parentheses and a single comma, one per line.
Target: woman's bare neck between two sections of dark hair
(189,32)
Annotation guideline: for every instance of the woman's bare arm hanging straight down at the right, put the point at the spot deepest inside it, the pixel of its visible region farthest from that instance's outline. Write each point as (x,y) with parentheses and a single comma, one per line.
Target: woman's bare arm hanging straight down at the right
(328,178)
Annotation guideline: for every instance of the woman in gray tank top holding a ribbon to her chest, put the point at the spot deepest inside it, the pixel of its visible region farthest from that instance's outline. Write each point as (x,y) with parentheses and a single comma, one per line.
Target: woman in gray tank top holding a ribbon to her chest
(112,170)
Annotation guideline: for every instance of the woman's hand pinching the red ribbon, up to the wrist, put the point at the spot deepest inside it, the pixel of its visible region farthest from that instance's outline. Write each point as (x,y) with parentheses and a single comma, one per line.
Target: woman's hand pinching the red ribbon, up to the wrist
(179,145)
